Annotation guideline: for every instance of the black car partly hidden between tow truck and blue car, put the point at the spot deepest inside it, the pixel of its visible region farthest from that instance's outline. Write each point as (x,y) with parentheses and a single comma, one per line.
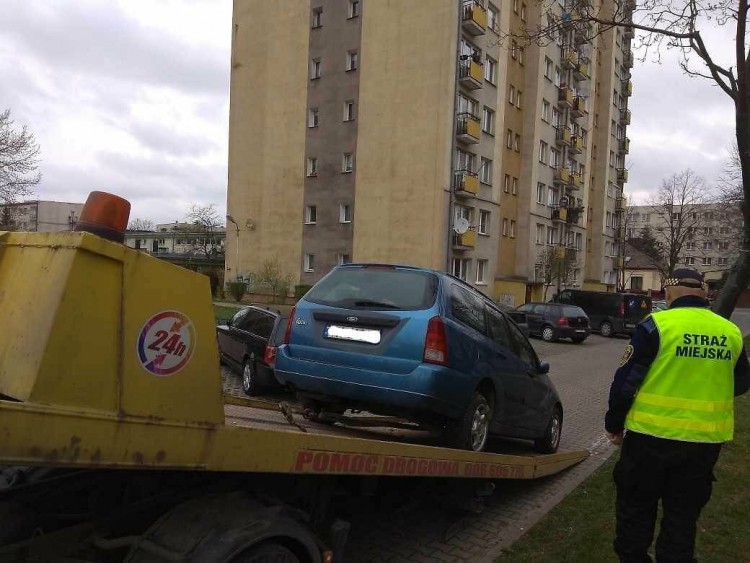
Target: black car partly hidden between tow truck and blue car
(244,346)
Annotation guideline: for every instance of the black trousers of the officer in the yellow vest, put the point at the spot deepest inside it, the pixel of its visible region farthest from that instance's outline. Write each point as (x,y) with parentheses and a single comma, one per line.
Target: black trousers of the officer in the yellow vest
(680,474)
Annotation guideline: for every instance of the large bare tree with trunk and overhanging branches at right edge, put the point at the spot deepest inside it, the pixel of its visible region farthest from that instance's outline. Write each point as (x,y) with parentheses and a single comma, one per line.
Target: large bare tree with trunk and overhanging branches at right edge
(677,25)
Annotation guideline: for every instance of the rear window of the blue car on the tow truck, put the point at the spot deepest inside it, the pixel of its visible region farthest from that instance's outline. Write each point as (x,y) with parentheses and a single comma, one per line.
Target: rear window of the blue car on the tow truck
(376,288)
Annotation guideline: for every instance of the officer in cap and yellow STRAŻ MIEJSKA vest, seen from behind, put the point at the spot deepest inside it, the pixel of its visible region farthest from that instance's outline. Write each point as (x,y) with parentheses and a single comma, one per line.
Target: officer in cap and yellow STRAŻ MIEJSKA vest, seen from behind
(674,393)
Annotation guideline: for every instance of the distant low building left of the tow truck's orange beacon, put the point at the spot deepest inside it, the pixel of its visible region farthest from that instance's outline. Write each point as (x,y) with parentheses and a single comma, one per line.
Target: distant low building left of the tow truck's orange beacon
(40,216)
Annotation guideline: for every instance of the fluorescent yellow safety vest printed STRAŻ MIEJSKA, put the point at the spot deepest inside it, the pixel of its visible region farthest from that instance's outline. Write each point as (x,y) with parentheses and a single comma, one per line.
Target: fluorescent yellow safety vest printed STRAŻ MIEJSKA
(688,392)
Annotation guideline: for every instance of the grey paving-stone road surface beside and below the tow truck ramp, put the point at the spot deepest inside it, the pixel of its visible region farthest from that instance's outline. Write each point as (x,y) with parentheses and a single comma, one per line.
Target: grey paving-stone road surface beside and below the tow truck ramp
(423,529)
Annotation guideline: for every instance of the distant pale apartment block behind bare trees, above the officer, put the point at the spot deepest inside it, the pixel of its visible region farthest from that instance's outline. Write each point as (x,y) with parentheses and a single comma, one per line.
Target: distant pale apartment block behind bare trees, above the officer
(708,236)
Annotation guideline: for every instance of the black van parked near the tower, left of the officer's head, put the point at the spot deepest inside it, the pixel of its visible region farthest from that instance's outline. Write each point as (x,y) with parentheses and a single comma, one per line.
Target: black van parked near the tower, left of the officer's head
(609,313)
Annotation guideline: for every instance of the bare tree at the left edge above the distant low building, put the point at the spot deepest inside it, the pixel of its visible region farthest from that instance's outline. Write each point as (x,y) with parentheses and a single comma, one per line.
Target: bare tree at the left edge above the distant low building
(19,158)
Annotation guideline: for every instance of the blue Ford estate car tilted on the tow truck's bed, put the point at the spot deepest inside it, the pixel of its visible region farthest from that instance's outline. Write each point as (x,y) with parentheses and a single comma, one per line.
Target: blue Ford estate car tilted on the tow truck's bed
(421,345)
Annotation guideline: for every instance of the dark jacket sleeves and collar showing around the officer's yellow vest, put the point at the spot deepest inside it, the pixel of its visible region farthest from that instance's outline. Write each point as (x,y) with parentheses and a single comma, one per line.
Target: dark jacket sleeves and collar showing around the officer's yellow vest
(630,375)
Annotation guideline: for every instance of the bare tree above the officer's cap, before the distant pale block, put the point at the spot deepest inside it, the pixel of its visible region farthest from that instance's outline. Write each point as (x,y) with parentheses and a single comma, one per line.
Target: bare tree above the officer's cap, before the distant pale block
(679,206)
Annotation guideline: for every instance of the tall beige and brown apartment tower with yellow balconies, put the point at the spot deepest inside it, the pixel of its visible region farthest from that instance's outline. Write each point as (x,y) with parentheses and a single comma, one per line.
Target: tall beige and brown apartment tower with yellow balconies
(424,134)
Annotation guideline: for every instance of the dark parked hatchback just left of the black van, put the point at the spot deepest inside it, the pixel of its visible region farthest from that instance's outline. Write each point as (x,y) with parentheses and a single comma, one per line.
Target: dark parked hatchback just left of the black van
(552,321)
